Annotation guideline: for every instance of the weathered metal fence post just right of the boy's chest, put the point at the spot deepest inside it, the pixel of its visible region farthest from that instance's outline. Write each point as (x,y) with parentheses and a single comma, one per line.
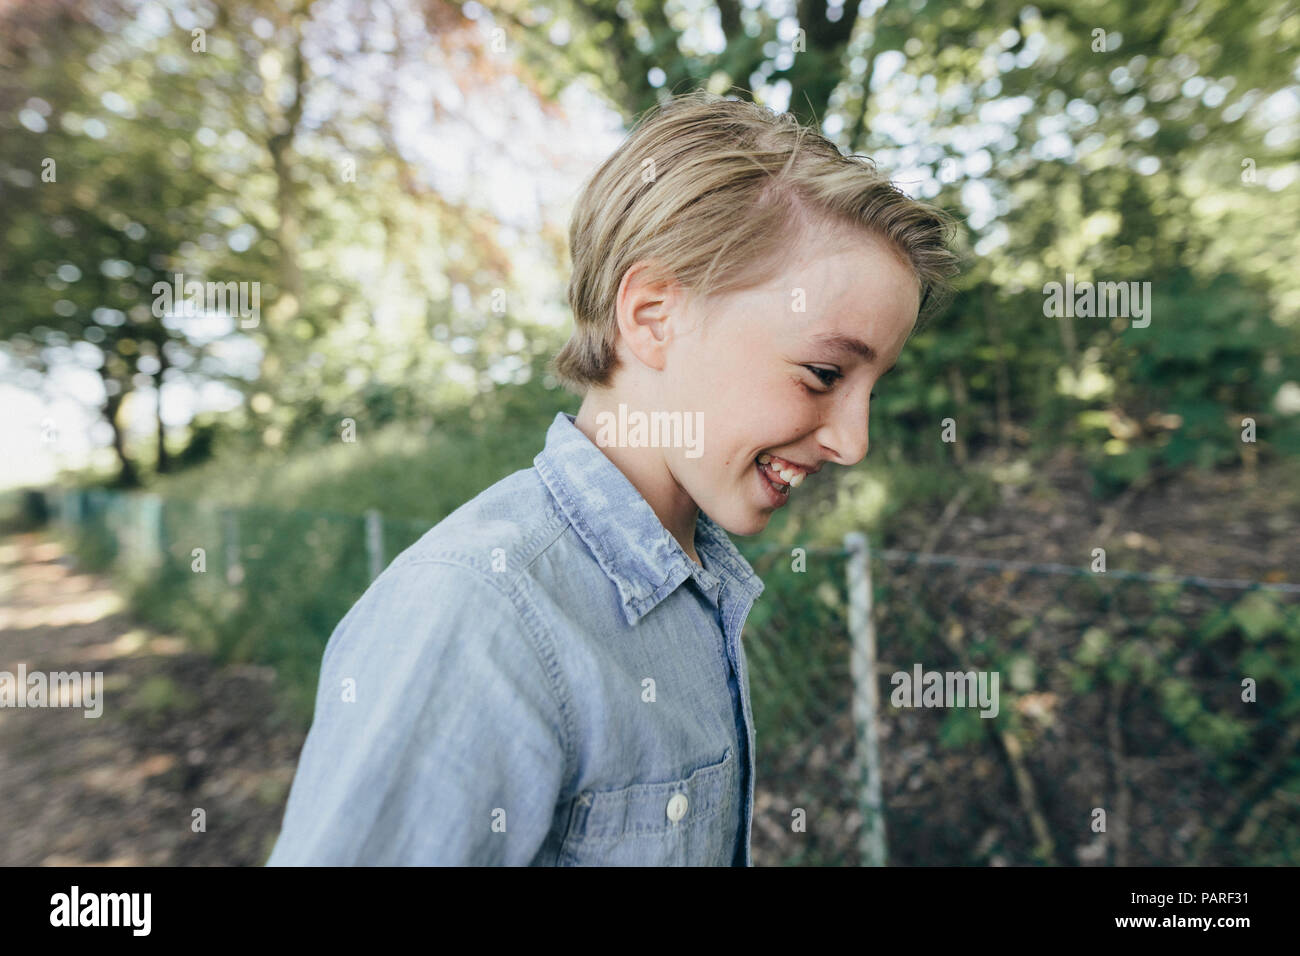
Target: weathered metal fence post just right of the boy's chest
(872,838)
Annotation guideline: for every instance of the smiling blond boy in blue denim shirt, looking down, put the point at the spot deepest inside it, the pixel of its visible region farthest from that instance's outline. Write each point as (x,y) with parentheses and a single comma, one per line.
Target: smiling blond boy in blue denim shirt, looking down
(554,674)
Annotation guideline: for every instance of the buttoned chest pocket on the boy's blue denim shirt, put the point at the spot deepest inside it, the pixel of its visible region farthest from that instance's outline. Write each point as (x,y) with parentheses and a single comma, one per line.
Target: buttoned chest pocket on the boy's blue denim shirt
(687,823)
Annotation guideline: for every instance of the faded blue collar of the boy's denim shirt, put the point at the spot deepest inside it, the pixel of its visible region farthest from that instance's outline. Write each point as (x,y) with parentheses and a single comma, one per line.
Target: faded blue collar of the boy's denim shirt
(629,540)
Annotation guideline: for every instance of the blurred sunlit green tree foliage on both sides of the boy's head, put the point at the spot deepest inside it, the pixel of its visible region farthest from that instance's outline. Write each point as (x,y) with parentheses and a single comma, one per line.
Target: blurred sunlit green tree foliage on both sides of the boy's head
(1155,146)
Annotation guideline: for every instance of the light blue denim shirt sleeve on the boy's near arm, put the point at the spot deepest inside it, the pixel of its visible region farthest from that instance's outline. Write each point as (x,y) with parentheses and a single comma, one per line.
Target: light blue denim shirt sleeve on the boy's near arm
(437,737)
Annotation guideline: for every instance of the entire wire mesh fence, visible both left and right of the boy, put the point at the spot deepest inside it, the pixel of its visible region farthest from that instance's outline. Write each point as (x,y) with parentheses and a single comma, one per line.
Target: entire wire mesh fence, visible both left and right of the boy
(911,710)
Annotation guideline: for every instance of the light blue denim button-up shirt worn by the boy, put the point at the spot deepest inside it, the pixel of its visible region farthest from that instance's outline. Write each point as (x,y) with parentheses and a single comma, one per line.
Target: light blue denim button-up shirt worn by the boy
(544,678)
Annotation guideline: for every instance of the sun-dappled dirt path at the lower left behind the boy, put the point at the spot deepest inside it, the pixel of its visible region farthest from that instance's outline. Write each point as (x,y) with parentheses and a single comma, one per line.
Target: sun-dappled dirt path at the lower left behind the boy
(177,734)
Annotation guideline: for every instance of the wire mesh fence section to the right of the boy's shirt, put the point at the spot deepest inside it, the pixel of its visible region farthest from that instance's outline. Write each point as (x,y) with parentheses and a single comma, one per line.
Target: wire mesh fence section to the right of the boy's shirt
(1138,720)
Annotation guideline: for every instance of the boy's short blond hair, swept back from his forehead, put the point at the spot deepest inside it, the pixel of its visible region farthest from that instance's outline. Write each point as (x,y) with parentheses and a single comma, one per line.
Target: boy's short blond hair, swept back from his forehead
(705,183)
